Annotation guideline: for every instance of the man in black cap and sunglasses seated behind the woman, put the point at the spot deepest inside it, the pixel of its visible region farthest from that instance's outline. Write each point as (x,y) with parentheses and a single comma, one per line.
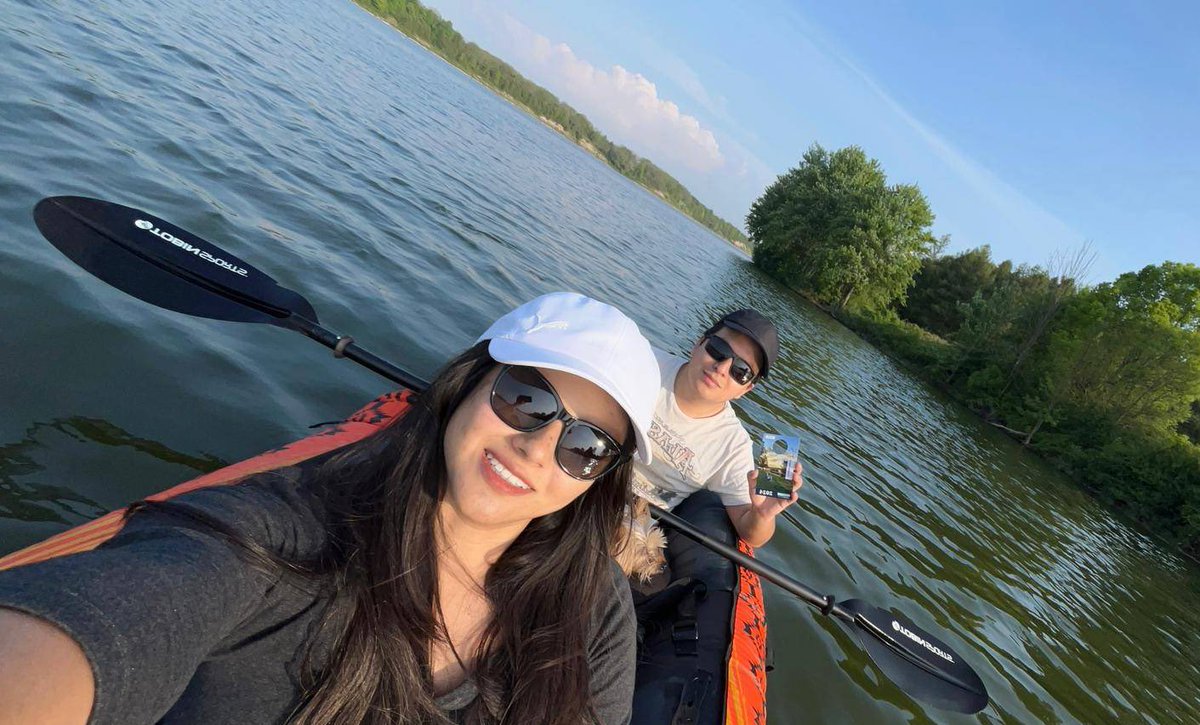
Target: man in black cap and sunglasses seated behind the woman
(698,441)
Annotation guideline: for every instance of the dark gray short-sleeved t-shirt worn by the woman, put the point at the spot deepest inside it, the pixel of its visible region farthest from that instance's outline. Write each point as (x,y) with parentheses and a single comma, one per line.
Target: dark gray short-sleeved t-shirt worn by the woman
(179,628)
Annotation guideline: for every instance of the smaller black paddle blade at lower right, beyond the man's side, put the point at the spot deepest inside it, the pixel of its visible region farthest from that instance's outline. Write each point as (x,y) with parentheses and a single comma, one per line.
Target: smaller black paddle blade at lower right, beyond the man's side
(920,663)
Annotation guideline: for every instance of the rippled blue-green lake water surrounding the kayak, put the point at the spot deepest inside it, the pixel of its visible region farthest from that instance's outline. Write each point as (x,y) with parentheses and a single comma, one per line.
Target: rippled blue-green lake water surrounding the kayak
(412,207)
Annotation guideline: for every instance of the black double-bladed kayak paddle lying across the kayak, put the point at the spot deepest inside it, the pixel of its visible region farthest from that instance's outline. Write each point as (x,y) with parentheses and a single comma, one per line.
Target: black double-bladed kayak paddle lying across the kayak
(169,267)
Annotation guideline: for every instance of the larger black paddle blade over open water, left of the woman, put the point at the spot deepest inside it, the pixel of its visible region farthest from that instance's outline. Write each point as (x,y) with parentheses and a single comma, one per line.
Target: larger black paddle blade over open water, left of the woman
(163,265)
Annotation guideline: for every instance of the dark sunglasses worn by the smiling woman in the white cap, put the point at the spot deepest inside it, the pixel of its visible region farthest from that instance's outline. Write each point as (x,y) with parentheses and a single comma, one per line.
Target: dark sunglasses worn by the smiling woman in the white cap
(525,400)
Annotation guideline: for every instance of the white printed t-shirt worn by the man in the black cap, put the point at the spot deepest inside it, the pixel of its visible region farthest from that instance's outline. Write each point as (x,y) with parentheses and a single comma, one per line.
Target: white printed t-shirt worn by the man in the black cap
(693,453)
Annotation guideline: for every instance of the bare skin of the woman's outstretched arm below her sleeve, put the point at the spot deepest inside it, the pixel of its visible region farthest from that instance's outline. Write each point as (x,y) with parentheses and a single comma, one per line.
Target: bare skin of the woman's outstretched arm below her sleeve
(45,676)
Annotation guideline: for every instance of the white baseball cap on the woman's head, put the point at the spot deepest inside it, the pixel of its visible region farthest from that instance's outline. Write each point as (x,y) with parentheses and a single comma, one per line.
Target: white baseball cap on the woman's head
(577,334)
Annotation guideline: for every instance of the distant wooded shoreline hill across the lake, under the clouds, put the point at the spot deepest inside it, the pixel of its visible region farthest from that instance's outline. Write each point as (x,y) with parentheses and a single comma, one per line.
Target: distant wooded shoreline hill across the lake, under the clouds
(430,29)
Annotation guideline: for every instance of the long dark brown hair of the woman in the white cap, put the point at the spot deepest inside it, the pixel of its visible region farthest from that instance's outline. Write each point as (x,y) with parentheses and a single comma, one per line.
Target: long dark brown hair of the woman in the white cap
(382,496)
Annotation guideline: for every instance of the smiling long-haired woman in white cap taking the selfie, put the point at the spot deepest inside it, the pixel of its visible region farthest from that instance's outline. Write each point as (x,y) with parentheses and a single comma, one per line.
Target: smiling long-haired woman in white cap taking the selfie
(452,568)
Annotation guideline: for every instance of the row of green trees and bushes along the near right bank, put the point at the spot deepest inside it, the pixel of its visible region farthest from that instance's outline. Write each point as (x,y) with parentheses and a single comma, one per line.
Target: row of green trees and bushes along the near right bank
(1103,381)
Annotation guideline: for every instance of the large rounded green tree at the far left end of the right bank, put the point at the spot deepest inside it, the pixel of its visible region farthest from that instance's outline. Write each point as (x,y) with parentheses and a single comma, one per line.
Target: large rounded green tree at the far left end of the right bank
(836,229)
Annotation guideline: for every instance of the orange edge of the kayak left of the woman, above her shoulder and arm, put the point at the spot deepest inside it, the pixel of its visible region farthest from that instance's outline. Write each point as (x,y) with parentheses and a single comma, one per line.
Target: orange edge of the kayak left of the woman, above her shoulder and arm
(86,537)
